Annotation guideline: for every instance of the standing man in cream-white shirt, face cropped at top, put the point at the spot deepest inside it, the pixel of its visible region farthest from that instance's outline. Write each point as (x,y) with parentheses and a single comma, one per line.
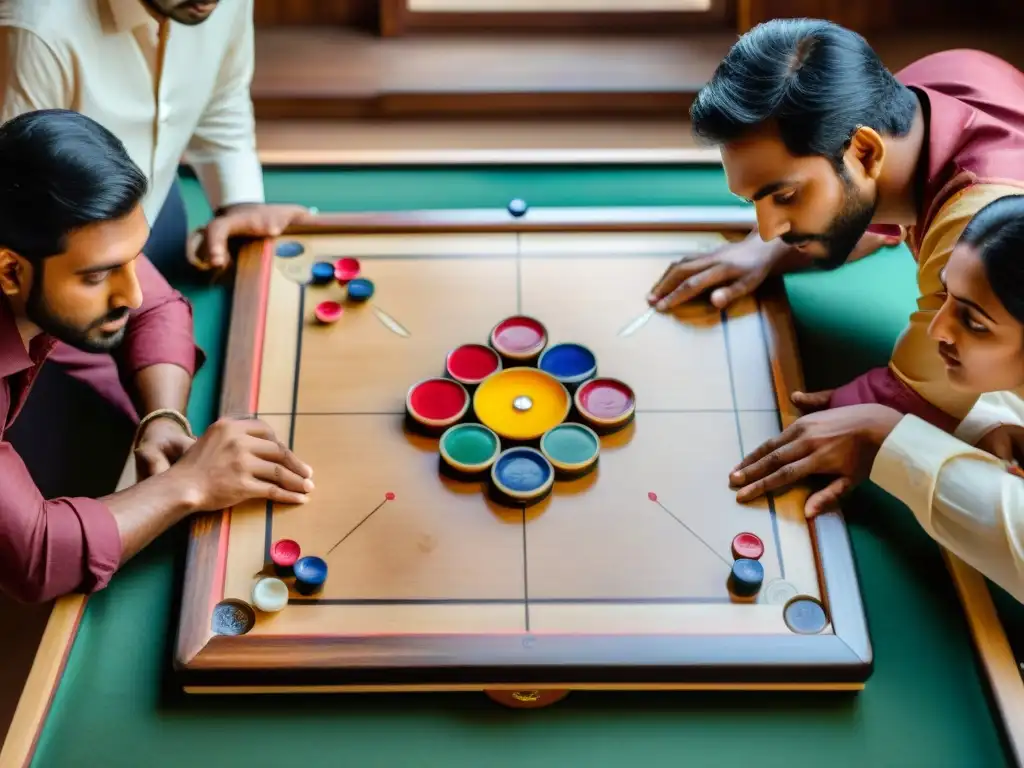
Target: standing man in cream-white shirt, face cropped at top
(170,79)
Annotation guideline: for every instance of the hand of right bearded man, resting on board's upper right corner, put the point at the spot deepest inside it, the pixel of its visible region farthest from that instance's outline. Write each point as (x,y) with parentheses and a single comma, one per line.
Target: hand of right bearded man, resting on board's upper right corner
(731,273)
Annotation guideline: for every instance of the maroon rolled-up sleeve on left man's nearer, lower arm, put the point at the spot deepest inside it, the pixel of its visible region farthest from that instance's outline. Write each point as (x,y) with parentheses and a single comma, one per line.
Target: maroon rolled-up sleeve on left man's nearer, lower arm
(50,548)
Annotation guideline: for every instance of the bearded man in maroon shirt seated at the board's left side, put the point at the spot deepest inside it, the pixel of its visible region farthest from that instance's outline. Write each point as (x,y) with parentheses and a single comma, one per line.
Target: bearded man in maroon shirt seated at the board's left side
(72,230)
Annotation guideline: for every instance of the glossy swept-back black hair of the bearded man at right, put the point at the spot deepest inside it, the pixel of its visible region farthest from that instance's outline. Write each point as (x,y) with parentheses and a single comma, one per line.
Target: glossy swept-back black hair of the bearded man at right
(818,81)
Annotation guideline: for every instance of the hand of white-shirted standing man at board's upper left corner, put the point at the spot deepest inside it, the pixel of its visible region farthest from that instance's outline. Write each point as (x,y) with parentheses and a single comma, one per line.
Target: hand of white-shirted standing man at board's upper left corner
(208,246)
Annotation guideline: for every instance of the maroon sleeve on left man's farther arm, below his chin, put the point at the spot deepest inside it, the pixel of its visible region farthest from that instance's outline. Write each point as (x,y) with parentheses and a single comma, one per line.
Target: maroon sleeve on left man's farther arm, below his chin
(160,331)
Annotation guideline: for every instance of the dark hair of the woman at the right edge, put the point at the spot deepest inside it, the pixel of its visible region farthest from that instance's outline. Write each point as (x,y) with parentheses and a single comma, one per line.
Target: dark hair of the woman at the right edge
(997,233)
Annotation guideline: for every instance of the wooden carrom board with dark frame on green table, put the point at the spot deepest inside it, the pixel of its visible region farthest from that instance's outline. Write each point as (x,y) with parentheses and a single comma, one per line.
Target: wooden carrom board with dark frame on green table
(619,579)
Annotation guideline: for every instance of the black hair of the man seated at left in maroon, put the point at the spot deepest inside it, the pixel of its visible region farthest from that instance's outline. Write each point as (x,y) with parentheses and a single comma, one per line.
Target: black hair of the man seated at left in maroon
(61,172)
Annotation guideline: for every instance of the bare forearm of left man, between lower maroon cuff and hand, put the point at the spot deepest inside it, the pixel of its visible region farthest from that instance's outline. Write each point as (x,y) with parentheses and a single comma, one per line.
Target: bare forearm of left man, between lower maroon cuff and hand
(146,510)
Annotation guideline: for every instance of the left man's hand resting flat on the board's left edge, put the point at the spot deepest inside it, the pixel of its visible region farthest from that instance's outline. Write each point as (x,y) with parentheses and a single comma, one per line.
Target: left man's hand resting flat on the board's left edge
(236,461)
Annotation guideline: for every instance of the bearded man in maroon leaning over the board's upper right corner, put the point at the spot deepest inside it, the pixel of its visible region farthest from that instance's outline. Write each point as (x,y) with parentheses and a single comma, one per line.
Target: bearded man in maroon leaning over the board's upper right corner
(829,145)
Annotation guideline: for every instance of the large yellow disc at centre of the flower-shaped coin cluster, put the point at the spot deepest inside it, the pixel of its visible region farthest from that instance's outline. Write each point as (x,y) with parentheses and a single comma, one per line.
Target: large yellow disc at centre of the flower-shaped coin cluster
(522,404)
